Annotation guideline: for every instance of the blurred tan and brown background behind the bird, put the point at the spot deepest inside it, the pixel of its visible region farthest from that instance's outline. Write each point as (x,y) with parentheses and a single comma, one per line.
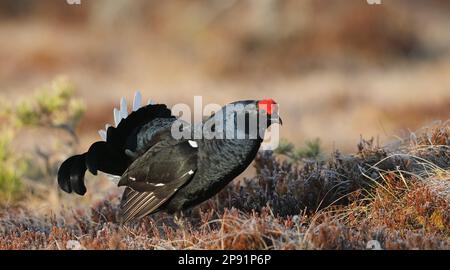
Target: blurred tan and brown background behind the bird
(338,69)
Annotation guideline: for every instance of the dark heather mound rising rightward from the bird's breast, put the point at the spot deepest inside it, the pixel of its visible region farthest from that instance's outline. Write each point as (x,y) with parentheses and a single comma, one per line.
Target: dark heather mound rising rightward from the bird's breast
(290,188)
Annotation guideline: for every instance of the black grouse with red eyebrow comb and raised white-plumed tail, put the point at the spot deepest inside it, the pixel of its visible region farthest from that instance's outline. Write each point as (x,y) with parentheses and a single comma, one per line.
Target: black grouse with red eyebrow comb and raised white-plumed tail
(161,172)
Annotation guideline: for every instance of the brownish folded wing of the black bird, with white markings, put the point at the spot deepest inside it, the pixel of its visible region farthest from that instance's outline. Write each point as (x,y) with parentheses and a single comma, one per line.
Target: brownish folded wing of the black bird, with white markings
(155,176)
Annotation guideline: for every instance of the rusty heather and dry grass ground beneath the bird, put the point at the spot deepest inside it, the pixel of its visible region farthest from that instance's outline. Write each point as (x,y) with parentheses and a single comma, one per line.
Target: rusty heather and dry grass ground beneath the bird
(343,203)
